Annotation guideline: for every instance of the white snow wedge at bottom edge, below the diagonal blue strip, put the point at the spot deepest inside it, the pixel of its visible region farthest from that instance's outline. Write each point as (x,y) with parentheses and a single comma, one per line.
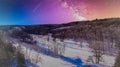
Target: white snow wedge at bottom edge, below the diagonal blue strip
(48,61)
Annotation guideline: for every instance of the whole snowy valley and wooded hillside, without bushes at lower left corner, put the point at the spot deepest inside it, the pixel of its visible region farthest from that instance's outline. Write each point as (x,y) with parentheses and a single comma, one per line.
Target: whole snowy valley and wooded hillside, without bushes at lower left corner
(79,44)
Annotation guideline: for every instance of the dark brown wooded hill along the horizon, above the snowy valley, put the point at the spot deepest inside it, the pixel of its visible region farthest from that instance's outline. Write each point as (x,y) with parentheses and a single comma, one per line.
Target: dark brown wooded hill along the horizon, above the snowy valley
(74,30)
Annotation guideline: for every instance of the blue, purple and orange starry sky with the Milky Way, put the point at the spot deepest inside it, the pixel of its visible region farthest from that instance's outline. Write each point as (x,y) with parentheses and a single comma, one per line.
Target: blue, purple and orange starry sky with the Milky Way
(22,12)
